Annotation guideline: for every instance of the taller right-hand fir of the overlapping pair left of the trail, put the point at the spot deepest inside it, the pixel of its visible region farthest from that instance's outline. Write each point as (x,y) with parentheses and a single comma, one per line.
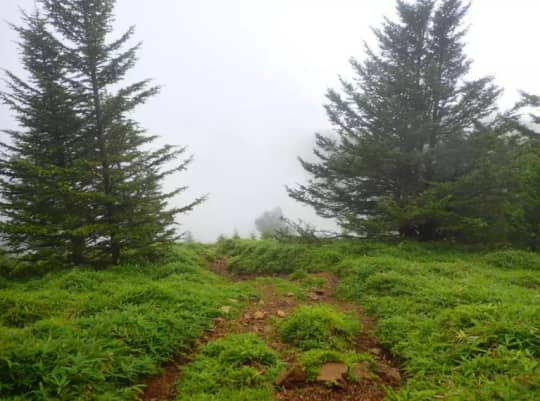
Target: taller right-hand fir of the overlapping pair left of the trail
(131,209)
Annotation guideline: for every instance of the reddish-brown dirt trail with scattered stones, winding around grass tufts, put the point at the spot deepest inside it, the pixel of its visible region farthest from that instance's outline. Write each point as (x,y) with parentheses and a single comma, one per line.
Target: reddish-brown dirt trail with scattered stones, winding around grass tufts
(259,317)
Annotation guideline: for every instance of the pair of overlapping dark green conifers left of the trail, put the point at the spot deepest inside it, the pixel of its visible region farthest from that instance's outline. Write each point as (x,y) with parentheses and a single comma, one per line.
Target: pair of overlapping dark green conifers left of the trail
(76,115)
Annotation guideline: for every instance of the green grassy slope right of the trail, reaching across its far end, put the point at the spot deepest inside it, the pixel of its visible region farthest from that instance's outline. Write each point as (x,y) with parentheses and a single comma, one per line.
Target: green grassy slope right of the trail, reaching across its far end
(464,326)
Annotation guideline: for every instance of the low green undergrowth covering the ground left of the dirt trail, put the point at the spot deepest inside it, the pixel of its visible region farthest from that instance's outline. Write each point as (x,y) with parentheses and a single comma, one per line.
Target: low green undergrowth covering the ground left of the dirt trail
(95,335)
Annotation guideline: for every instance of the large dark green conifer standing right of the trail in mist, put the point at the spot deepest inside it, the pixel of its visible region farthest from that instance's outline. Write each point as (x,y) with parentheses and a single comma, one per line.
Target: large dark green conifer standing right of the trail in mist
(403,123)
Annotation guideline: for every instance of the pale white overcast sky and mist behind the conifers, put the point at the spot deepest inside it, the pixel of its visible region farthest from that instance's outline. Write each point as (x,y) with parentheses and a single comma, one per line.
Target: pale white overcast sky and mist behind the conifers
(244,82)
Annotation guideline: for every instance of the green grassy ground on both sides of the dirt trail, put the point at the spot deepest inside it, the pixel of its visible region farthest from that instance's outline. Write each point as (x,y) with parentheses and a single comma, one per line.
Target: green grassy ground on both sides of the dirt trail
(464,326)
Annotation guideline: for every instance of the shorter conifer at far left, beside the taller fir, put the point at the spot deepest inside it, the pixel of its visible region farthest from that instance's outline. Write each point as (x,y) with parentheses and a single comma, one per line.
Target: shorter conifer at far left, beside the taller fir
(42,182)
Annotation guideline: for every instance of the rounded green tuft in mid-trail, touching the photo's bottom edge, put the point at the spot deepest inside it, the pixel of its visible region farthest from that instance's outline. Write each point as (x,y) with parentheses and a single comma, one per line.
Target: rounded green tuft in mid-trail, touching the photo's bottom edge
(240,367)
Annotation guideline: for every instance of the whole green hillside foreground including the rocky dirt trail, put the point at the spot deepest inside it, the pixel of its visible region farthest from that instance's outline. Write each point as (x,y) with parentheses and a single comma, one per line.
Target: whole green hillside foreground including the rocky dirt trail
(255,320)
